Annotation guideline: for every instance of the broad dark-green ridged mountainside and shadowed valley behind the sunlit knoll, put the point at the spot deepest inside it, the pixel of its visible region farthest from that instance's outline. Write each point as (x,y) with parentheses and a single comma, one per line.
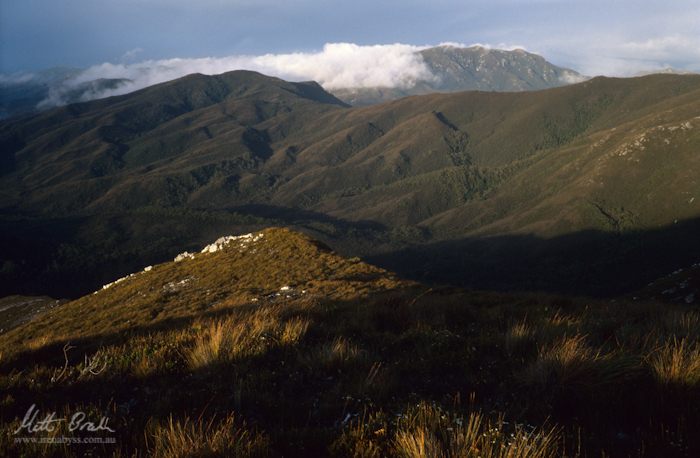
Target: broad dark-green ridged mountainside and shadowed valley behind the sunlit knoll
(445,186)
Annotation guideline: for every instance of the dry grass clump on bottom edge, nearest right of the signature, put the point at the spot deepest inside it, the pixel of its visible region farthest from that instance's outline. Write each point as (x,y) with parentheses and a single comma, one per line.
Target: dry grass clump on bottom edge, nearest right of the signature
(206,438)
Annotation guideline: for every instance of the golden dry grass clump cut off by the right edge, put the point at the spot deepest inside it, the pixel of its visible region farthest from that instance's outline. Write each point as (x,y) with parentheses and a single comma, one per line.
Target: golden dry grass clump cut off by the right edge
(677,362)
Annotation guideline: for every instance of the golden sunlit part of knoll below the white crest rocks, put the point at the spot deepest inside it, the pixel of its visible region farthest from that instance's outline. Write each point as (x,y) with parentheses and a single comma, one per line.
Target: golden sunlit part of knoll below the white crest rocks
(210,282)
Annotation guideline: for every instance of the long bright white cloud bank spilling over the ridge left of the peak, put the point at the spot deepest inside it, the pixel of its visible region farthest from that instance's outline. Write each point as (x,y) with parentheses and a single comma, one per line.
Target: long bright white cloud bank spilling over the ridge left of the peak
(336,66)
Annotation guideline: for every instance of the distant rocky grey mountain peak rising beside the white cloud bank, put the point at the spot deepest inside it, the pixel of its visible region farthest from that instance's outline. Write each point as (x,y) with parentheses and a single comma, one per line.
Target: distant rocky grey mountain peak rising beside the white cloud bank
(472,69)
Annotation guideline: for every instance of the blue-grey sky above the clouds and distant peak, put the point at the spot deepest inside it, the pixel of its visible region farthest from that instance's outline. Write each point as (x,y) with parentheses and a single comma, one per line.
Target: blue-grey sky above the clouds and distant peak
(595,37)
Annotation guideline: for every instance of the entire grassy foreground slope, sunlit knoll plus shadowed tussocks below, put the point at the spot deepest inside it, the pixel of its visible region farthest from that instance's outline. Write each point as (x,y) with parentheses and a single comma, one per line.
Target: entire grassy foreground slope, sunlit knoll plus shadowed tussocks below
(350,361)
